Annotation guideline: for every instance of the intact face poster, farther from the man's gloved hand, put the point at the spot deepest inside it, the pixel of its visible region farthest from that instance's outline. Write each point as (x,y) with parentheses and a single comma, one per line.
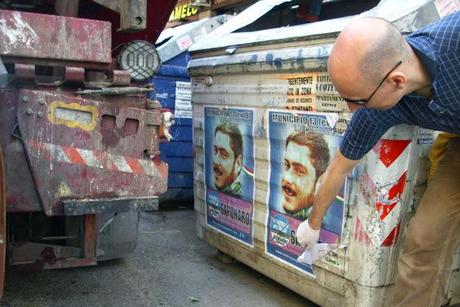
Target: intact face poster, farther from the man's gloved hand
(229,165)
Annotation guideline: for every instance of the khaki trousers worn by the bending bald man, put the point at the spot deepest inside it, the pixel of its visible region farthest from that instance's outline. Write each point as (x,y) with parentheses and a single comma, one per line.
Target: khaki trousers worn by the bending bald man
(432,237)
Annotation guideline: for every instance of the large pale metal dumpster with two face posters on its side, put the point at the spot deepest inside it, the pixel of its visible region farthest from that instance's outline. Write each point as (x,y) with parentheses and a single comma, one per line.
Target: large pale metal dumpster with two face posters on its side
(265,115)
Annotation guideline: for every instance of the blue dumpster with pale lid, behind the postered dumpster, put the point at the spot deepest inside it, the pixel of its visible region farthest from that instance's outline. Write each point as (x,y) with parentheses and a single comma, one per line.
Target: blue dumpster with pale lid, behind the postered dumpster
(171,85)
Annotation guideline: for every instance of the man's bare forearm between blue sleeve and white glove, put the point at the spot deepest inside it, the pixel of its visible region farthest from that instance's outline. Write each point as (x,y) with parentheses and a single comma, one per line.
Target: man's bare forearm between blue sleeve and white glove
(332,182)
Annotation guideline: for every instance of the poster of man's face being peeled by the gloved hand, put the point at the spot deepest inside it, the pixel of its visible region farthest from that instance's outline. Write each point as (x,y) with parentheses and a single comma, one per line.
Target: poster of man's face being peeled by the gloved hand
(301,146)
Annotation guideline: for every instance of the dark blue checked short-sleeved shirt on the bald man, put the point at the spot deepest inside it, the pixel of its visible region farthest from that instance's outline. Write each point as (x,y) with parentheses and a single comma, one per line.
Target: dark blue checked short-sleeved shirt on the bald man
(438,47)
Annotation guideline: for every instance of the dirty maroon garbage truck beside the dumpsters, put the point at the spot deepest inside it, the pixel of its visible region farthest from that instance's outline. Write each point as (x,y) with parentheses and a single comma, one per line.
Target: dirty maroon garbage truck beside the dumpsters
(79,139)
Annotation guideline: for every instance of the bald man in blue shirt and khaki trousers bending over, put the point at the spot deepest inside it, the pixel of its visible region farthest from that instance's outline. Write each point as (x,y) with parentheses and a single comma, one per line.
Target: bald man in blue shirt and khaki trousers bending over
(388,80)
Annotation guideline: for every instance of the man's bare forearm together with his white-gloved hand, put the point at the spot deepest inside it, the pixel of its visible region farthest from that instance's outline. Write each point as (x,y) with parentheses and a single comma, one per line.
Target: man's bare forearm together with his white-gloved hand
(337,171)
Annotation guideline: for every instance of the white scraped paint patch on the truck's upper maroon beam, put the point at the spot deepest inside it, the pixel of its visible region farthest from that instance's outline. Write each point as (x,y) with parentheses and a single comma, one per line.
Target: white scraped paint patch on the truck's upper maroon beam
(18,32)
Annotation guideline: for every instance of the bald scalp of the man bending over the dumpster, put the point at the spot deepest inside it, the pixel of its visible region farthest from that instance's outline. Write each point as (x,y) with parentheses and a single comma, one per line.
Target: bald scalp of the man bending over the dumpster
(365,50)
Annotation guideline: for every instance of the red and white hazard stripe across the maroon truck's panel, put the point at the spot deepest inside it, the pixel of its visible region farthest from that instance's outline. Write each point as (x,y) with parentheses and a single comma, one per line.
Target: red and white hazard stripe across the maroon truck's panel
(92,158)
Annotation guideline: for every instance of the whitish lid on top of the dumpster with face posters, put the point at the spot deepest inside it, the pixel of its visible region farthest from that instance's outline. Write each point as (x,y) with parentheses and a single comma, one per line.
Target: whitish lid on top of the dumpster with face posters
(391,10)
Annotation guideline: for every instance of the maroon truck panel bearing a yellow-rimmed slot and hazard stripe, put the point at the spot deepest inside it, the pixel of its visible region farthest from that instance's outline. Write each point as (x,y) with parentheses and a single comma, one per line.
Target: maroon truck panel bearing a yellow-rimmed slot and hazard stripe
(92,149)
